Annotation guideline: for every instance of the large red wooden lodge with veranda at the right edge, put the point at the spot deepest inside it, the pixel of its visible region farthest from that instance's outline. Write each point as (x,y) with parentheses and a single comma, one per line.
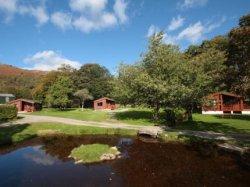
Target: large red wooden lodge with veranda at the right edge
(223,102)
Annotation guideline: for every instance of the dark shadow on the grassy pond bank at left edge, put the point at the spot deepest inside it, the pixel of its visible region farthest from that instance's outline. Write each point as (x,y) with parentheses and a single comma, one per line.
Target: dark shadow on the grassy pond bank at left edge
(7,133)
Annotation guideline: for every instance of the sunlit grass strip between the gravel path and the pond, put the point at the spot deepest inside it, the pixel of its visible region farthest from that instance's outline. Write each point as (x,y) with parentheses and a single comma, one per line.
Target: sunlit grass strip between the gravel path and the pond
(18,133)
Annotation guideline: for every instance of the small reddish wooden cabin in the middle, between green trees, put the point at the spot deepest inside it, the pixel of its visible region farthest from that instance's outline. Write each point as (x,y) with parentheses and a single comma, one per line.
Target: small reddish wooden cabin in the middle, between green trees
(104,103)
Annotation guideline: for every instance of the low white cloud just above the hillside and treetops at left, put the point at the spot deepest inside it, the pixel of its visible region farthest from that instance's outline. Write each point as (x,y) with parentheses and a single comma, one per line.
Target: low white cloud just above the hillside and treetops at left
(49,60)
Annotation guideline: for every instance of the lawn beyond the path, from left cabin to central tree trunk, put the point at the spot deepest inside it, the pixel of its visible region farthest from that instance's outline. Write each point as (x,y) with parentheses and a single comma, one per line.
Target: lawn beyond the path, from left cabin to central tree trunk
(133,116)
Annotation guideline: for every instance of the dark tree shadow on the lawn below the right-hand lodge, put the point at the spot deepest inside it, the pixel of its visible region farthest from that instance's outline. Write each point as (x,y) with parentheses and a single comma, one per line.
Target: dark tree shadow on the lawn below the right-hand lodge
(209,126)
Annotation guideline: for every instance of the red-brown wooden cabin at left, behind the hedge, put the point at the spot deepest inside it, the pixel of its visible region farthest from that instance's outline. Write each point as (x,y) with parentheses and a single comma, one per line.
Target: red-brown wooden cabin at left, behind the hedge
(25,105)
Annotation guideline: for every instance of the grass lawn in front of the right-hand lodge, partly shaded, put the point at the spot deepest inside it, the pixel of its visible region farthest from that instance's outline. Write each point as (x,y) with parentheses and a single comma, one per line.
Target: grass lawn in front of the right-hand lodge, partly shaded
(224,124)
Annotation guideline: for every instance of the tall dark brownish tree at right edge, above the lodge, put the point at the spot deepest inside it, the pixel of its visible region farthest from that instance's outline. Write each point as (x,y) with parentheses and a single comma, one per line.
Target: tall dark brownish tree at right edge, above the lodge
(239,58)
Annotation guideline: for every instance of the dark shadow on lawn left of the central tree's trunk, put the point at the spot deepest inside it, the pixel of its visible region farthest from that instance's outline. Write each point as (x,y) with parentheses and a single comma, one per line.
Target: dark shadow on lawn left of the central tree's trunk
(139,115)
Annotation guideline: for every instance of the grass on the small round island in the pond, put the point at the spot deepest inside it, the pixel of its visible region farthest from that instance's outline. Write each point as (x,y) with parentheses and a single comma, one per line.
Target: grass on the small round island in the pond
(91,153)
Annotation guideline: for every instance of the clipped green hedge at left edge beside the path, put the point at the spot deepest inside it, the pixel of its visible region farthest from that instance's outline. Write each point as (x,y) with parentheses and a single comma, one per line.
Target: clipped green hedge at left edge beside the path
(7,112)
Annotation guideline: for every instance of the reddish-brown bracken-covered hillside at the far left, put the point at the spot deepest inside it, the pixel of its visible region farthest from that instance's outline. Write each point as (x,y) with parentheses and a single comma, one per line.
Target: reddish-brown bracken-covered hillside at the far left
(18,81)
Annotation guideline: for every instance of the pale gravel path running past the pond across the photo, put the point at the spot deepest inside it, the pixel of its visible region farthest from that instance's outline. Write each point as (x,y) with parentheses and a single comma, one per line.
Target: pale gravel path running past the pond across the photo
(153,129)
